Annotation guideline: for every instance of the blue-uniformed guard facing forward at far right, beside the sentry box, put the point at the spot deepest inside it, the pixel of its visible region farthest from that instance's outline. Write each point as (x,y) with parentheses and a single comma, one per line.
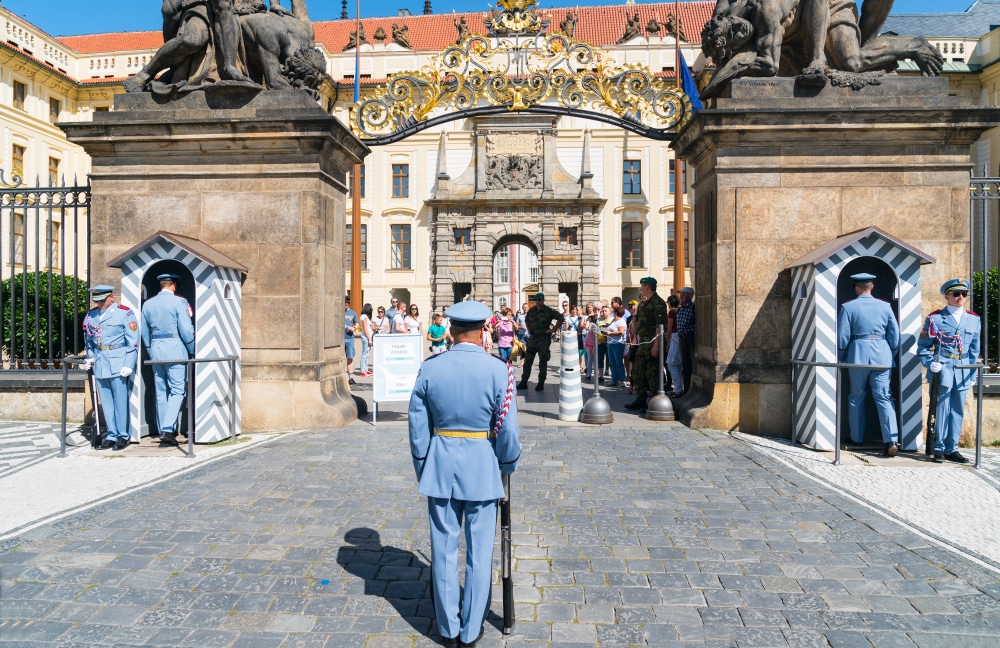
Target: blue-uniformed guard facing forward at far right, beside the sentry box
(951,337)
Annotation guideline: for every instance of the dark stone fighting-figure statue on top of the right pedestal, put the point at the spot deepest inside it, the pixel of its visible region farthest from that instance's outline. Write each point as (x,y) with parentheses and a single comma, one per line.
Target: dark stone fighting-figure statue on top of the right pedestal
(807,39)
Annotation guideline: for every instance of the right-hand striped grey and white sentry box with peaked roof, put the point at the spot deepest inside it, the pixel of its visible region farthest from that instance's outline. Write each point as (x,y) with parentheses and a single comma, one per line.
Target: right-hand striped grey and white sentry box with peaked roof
(820,284)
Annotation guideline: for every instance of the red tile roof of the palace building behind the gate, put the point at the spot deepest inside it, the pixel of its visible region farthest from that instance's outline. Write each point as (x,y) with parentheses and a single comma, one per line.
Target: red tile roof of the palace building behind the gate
(600,26)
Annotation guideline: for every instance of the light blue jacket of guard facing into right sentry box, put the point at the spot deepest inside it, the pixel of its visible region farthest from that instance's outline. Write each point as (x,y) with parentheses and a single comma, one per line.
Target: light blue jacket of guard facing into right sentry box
(867,332)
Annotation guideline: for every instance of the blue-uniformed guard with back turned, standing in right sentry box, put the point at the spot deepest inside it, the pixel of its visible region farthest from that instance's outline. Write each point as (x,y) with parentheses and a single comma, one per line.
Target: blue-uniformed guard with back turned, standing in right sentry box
(868,333)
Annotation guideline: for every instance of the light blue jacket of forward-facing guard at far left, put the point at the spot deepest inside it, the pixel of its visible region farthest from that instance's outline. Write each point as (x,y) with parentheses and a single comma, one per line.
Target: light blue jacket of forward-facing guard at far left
(112,340)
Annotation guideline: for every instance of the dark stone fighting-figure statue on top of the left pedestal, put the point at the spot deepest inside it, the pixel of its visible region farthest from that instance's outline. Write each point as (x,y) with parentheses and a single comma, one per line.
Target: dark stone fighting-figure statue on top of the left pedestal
(224,42)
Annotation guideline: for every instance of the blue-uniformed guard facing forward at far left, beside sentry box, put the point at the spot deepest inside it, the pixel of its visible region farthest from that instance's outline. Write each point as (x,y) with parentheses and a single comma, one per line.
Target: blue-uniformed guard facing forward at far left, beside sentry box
(111,334)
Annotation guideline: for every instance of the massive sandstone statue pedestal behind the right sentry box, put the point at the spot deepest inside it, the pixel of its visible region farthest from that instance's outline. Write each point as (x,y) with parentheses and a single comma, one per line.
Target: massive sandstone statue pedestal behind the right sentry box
(779,171)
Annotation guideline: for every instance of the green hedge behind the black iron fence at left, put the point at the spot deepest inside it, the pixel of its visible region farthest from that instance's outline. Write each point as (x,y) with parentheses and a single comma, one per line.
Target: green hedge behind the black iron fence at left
(19,296)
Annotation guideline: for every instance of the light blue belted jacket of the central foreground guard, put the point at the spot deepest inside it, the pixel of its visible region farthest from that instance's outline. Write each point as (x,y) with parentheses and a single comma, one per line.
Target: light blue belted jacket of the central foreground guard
(462,389)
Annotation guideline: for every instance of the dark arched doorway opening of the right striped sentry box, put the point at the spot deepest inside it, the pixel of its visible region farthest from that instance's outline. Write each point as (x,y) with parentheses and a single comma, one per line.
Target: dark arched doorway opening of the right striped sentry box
(885,289)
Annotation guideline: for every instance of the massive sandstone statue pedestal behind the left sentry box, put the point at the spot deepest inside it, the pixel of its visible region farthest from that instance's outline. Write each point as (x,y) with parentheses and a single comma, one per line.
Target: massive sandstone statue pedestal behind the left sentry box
(262,177)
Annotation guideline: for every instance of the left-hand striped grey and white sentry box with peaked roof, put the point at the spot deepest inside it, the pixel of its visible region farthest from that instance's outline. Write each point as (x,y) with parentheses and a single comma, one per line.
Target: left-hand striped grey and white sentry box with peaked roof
(212,284)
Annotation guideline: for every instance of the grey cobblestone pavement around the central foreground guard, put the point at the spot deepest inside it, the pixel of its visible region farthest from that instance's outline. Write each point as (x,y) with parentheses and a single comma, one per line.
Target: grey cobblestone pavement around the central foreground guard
(630,534)
